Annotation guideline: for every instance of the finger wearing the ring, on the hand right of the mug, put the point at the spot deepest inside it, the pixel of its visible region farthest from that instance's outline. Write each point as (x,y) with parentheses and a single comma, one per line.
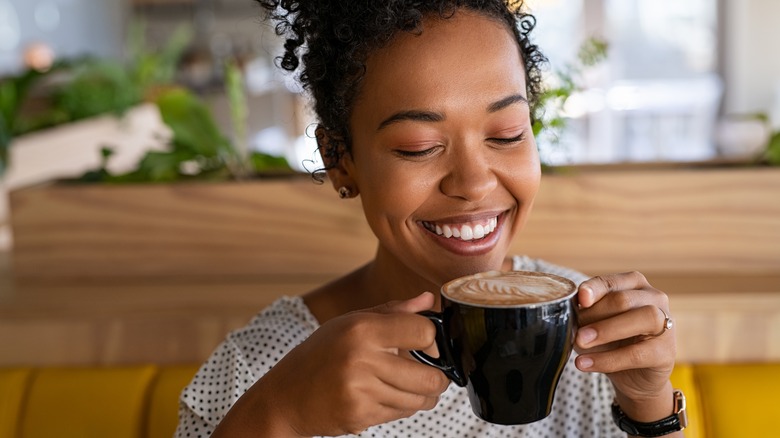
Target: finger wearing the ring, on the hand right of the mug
(647,320)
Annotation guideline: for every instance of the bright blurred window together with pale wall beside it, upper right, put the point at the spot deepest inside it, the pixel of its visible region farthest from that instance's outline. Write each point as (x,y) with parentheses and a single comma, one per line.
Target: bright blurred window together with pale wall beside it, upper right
(680,82)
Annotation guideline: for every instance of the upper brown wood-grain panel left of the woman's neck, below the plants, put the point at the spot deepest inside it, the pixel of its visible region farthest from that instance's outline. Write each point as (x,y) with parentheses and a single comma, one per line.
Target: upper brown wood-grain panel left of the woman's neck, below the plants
(269,228)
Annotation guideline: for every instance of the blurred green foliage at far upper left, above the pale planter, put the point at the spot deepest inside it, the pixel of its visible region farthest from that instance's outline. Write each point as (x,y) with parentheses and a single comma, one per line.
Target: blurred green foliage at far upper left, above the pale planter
(85,87)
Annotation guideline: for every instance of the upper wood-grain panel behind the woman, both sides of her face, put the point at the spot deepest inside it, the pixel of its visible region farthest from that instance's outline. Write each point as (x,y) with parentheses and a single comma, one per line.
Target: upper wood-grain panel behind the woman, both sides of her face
(667,221)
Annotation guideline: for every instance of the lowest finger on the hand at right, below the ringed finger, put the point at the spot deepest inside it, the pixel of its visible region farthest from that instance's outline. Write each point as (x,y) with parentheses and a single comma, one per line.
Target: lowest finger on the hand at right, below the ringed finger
(651,353)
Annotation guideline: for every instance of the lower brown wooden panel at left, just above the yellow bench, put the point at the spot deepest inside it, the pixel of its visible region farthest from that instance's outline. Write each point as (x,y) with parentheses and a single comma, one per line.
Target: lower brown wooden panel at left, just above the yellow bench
(115,323)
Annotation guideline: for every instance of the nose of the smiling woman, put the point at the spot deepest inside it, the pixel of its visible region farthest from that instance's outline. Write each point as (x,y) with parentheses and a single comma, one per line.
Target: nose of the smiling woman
(470,176)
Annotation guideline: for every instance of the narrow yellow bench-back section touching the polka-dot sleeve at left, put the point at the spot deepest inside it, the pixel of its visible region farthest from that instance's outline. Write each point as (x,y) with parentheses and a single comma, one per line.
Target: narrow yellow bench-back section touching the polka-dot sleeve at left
(164,401)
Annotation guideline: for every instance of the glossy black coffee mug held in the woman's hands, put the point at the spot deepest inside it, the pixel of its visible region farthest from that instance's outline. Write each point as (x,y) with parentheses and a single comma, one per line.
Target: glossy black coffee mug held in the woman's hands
(509,354)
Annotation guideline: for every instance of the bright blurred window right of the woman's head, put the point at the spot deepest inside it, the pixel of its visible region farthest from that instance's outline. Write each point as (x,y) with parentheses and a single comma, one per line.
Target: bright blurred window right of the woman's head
(656,96)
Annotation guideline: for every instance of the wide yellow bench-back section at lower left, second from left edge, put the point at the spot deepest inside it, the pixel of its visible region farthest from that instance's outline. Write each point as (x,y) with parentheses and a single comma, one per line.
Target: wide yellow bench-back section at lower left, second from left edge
(87,402)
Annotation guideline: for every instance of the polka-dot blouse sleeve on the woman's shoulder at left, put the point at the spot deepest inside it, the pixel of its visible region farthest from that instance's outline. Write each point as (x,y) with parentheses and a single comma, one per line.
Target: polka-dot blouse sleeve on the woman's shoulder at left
(245,356)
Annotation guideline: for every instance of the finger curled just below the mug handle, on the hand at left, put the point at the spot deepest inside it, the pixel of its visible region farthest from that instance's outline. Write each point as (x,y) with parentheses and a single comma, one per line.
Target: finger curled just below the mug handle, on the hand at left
(408,375)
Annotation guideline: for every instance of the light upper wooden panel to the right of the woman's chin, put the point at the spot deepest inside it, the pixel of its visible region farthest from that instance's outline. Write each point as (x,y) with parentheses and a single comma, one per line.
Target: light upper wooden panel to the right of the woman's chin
(695,220)
